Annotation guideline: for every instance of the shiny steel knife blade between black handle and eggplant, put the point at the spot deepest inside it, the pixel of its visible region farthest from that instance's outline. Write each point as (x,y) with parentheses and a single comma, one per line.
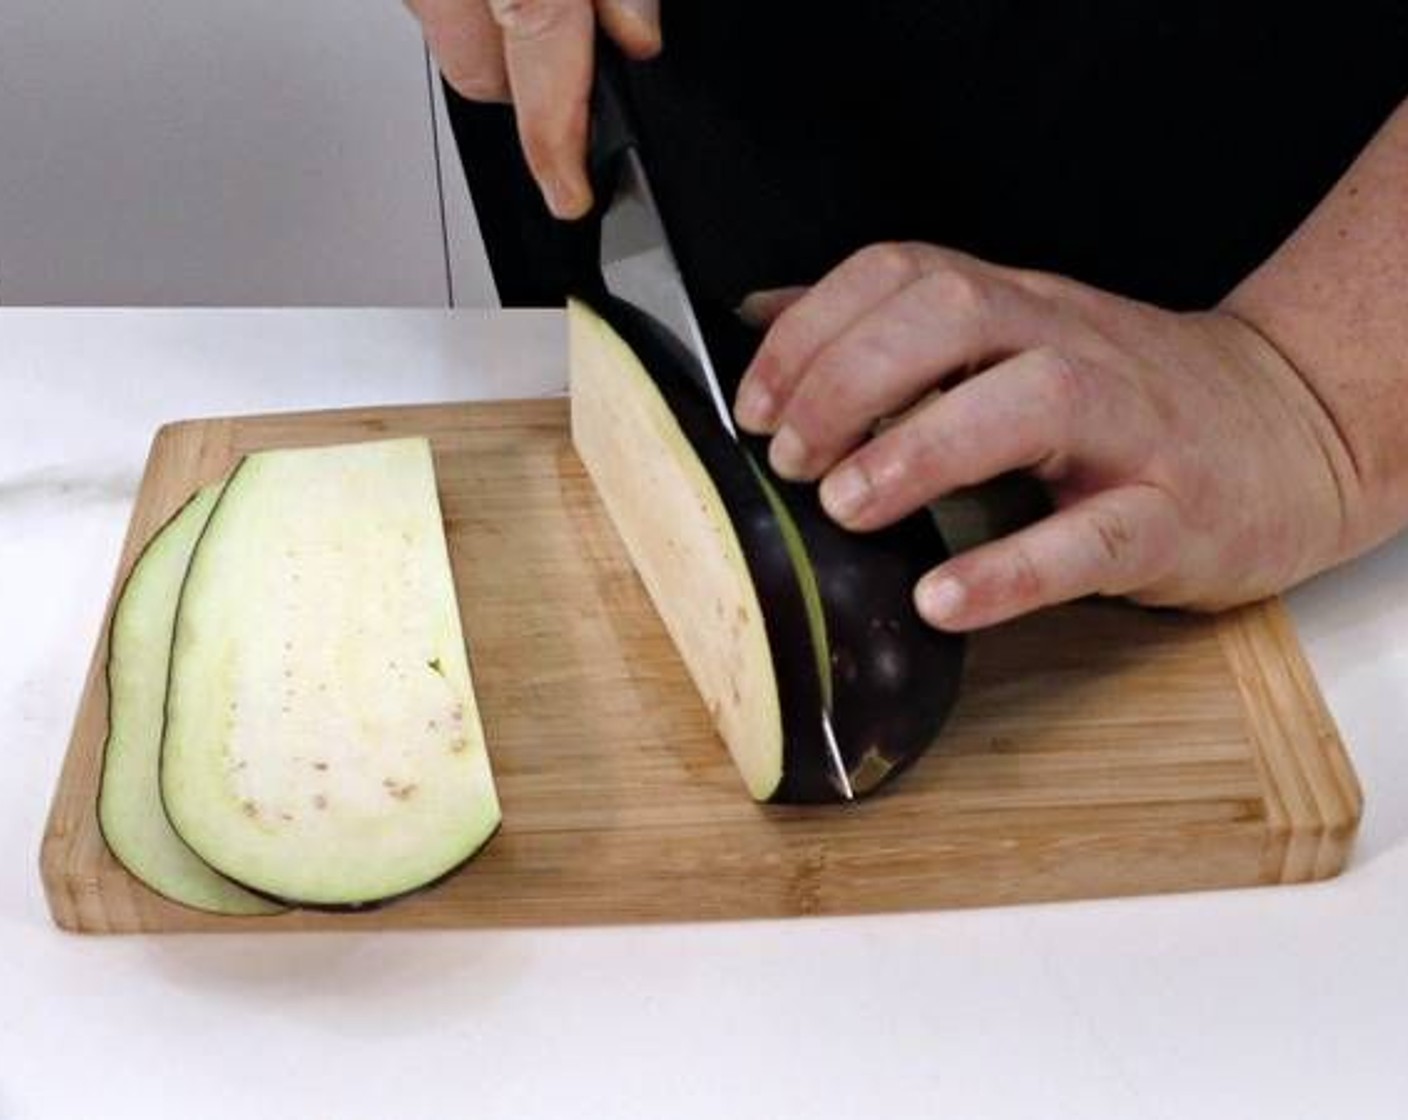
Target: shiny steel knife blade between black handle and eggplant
(640,268)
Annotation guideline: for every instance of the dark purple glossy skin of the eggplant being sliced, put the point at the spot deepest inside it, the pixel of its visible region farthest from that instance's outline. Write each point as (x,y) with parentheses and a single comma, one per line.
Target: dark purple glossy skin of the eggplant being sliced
(895,680)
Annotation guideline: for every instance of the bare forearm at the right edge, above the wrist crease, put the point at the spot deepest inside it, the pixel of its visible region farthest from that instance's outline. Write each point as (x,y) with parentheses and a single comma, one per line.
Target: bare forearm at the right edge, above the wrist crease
(1334,299)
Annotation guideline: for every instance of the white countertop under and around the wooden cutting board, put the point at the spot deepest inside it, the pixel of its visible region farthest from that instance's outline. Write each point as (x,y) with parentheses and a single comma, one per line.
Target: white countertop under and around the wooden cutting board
(1278,1002)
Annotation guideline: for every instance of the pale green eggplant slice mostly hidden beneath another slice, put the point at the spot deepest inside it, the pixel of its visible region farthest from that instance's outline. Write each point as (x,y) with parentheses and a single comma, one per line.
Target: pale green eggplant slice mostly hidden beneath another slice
(129,805)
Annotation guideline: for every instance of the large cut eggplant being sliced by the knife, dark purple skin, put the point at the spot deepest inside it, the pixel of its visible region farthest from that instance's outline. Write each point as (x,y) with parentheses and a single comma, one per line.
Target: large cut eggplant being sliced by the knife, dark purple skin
(829,625)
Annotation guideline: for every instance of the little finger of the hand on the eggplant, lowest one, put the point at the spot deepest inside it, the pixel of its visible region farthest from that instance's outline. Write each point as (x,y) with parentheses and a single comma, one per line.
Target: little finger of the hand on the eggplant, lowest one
(1112,543)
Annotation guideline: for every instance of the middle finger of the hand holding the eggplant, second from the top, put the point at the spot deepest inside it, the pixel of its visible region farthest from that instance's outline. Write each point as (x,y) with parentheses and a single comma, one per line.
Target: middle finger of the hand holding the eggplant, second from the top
(941,326)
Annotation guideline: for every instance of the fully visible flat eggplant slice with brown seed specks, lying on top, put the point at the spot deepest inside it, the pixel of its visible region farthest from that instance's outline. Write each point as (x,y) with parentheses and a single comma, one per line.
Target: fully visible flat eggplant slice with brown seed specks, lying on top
(322,742)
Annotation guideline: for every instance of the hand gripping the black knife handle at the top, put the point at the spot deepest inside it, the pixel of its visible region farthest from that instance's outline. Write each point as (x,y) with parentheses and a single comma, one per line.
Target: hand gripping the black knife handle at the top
(539,54)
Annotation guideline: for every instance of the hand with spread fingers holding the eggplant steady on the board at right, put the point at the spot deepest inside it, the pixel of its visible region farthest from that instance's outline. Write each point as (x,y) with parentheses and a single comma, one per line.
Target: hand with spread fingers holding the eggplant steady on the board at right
(1186,459)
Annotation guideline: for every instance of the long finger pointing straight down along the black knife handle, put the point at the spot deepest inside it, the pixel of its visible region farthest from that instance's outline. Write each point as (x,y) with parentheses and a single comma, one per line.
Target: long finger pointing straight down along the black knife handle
(548,53)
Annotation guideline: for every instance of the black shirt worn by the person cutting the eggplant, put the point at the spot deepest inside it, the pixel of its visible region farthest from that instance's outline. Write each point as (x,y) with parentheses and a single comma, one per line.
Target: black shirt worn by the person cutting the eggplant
(1155,150)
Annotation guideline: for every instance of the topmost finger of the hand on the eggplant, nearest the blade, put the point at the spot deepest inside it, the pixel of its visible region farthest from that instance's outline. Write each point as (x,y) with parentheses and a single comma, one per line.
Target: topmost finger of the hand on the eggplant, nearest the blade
(844,295)
